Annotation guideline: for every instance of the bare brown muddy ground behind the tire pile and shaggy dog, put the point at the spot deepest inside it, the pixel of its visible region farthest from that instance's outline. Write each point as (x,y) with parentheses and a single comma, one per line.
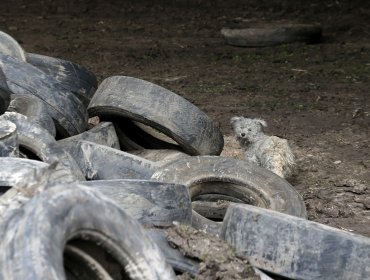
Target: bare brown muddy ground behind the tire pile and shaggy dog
(317,96)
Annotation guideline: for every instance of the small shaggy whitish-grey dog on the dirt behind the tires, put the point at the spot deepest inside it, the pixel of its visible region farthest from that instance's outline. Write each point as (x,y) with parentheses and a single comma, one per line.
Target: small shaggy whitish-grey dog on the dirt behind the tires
(270,152)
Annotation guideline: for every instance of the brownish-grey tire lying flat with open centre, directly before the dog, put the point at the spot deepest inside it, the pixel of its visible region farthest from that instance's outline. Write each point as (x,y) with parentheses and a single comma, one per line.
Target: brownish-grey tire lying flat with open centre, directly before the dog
(235,178)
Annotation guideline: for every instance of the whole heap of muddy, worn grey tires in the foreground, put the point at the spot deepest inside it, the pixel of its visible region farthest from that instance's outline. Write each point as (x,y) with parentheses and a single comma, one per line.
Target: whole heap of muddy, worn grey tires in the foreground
(79,203)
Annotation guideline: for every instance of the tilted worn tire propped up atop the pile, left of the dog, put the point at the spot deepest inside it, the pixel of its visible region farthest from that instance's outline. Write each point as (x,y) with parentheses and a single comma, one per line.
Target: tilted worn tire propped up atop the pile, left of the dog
(123,99)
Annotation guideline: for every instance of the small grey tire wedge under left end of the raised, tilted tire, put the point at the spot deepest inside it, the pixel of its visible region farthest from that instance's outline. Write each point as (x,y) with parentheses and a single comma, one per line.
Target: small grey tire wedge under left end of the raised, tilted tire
(103,133)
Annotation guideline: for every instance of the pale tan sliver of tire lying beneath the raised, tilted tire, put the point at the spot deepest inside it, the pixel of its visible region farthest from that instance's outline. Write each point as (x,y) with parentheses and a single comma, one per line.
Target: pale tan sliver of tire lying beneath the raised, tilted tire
(160,157)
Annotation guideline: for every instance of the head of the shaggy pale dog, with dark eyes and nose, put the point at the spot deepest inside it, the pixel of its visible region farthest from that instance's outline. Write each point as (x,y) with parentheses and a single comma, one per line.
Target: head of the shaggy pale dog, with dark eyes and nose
(247,130)
